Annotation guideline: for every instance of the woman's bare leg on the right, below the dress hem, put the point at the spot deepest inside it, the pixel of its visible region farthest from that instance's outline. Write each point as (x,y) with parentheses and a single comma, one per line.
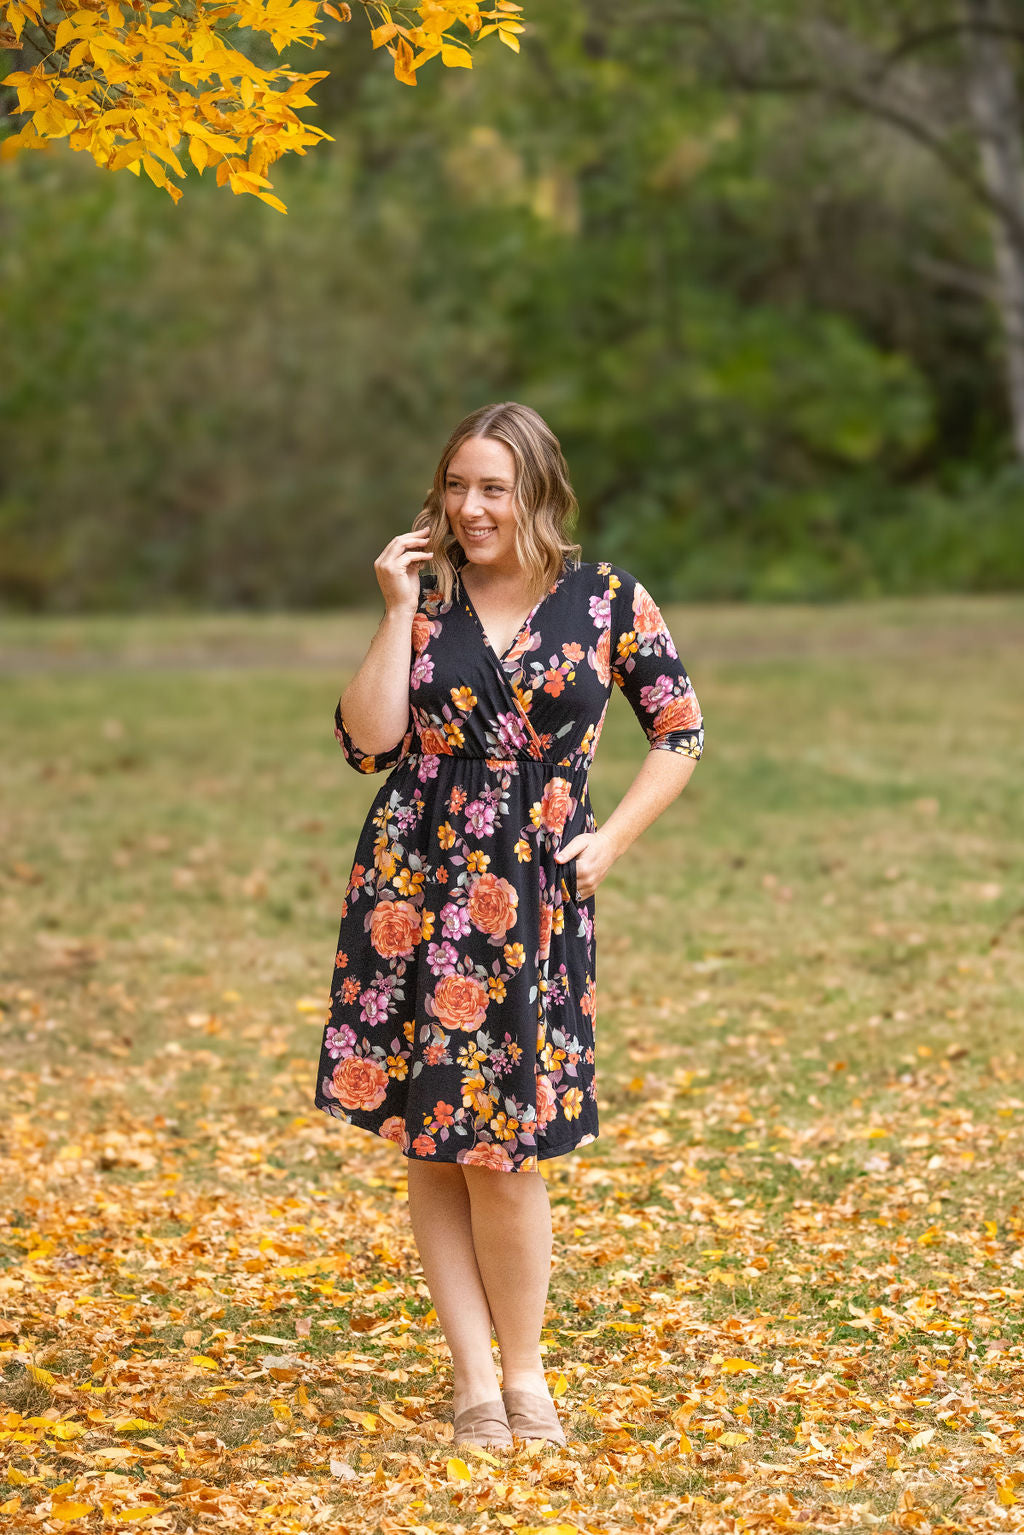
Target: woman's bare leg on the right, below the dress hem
(512,1236)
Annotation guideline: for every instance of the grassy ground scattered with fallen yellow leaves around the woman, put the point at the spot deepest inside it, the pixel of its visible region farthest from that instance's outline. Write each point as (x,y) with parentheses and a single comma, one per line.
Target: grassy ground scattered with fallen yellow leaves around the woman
(788,1276)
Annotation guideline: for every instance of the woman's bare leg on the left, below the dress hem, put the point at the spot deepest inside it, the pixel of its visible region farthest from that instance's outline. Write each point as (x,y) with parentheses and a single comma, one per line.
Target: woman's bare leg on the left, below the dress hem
(440,1213)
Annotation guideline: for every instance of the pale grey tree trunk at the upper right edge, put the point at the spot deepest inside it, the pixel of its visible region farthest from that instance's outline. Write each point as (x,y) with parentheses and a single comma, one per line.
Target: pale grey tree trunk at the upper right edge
(997,116)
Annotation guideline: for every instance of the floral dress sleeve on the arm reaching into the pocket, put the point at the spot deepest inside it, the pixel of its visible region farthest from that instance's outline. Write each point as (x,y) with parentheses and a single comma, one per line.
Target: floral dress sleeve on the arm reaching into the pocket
(646,665)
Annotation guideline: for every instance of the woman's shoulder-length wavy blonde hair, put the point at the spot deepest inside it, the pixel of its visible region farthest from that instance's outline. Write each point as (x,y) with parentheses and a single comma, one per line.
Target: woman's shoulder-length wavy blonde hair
(544,498)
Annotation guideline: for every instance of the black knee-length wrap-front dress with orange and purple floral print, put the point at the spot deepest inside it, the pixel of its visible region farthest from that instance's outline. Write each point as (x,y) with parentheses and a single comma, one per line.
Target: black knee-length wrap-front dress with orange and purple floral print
(463,1009)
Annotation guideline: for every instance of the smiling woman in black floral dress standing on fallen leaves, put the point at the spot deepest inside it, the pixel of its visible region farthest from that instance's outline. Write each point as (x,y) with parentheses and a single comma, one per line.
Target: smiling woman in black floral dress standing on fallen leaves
(463,1003)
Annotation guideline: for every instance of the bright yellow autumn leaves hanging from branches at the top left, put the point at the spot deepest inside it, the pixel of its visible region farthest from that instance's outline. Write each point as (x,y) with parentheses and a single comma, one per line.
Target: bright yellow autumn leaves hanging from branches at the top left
(140,85)
